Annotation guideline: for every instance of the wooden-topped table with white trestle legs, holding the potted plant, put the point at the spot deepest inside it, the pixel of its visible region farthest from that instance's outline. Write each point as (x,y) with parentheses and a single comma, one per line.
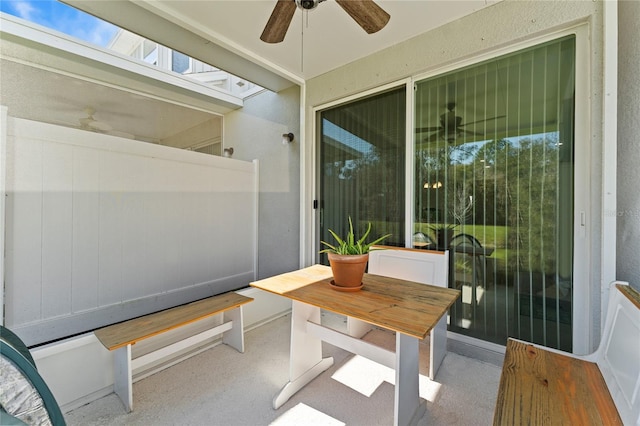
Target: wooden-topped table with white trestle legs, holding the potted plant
(409,309)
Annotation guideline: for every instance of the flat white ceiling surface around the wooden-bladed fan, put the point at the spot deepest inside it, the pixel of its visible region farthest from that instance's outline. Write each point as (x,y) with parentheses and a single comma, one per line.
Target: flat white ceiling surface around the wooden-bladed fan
(318,40)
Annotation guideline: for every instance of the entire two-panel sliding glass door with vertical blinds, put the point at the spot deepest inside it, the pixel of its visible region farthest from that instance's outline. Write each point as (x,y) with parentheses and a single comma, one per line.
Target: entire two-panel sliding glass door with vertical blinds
(493,182)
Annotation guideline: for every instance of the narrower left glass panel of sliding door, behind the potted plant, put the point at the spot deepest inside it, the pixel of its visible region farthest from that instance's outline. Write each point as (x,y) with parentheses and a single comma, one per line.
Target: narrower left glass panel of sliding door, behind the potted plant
(362,167)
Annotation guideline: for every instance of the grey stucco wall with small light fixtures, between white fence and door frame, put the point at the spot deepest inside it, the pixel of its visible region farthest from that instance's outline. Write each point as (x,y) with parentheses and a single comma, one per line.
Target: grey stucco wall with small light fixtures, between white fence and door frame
(255,132)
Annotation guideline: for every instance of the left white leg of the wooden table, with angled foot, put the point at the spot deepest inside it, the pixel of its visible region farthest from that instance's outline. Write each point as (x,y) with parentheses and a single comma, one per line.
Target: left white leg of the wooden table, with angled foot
(305,358)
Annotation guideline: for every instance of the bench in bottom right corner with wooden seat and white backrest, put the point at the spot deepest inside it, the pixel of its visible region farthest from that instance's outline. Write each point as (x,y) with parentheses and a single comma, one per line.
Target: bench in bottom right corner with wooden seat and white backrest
(540,385)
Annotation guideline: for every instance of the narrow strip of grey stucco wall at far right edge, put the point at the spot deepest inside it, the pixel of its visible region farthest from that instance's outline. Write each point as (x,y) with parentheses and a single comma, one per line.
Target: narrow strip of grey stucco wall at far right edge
(628,209)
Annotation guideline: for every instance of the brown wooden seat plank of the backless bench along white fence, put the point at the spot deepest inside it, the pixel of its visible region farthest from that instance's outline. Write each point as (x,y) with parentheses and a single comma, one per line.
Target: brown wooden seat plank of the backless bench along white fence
(137,329)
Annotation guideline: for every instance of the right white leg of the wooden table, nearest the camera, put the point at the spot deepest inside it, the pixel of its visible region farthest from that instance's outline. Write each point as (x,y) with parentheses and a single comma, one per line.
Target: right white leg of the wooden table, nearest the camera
(407,407)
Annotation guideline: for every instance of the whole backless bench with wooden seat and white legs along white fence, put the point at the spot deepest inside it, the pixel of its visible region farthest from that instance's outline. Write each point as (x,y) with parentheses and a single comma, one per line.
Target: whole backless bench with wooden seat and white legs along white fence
(120,337)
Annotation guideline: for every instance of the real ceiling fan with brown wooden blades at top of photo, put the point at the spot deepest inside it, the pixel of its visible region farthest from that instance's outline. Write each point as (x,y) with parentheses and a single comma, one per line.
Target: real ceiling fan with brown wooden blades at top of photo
(366,13)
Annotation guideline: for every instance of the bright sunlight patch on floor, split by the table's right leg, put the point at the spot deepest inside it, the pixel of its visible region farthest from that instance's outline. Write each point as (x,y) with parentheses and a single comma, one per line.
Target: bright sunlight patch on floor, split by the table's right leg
(365,376)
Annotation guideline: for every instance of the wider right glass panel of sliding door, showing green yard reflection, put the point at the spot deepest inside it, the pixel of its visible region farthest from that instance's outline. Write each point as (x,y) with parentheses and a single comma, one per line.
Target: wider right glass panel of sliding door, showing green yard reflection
(494,161)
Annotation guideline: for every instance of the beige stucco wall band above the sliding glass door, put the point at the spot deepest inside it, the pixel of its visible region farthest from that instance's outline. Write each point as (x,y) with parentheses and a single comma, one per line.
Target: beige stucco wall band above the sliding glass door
(501,24)
